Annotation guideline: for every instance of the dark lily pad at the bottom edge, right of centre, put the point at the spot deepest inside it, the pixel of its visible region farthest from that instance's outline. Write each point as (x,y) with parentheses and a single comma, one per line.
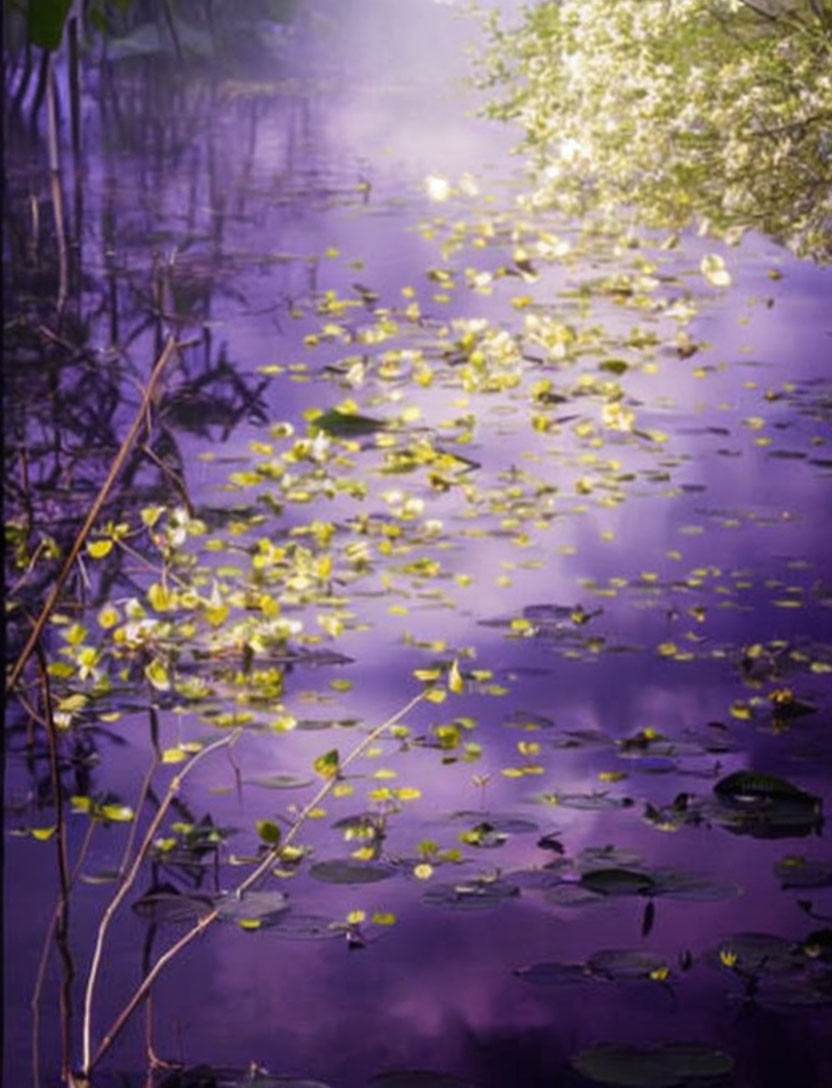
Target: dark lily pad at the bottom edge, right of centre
(665,1067)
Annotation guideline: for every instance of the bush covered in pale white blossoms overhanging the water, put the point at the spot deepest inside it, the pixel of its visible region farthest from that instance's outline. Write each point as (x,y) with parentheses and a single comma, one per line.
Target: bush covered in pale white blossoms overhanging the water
(703,109)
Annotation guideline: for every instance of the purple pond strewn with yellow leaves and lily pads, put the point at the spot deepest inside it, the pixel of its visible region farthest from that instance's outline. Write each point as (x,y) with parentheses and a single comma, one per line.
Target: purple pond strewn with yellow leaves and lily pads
(474,558)
